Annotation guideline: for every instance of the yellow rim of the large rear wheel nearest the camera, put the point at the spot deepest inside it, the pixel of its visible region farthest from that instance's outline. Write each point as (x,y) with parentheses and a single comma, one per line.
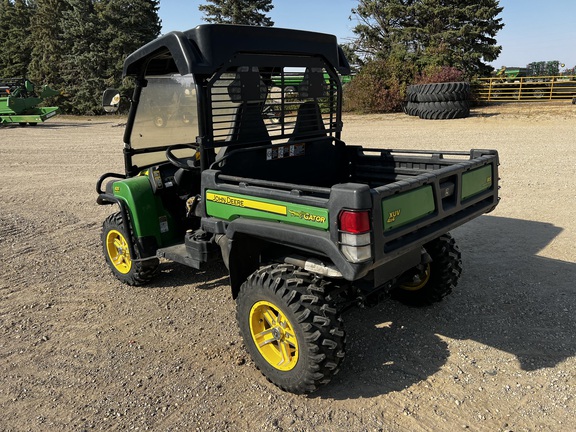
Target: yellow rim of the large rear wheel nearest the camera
(274,336)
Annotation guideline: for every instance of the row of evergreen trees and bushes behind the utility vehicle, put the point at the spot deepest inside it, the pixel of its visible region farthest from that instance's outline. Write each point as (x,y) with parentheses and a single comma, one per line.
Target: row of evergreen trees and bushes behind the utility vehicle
(79,46)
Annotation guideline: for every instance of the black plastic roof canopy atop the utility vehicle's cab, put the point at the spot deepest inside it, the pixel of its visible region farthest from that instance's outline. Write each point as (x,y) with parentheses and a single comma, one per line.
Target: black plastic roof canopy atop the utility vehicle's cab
(206,48)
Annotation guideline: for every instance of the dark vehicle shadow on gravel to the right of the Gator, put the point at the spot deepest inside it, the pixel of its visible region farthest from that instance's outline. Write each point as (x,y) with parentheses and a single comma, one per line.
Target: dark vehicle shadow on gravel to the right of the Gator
(508,298)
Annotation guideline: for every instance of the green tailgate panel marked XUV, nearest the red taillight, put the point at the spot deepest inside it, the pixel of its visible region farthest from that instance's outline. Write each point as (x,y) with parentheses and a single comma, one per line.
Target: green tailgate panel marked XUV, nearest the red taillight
(398,210)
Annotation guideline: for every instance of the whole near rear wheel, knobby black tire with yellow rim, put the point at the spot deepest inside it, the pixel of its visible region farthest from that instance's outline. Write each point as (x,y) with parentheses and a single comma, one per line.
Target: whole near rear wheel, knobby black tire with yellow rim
(293,334)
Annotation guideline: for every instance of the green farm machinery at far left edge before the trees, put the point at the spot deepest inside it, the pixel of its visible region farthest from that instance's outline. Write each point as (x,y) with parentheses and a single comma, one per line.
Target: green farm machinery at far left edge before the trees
(19,102)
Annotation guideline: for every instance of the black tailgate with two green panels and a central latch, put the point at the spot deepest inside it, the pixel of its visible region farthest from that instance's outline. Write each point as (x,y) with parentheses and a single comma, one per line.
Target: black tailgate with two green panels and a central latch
(435,192)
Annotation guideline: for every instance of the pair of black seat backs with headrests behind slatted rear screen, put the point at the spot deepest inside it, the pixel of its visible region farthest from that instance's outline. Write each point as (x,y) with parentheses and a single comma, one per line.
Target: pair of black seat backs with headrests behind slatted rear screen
(310,156)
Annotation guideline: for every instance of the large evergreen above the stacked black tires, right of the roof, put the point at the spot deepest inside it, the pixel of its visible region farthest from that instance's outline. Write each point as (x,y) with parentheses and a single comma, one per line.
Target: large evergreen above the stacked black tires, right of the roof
(455,33)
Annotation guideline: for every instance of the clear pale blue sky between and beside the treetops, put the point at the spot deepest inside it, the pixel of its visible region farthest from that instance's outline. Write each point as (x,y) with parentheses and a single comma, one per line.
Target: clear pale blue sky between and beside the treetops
(534,30)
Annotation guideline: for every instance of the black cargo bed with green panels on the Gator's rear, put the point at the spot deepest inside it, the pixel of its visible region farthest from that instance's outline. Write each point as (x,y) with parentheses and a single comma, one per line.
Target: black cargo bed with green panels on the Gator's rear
(413,197)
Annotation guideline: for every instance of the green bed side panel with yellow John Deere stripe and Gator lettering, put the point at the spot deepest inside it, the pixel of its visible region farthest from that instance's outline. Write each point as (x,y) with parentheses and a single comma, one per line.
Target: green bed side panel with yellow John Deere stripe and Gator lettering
(229,206)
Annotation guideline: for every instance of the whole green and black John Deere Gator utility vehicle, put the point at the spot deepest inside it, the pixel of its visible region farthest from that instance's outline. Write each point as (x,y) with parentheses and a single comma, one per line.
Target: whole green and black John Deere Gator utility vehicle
(306,225)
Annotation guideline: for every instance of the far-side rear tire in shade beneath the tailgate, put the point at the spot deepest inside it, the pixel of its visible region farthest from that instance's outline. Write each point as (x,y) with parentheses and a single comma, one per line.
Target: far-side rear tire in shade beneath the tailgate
(436,279)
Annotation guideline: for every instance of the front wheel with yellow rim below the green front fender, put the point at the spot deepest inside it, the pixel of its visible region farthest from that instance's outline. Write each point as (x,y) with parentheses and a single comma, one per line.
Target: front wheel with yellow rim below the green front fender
(115,237)
